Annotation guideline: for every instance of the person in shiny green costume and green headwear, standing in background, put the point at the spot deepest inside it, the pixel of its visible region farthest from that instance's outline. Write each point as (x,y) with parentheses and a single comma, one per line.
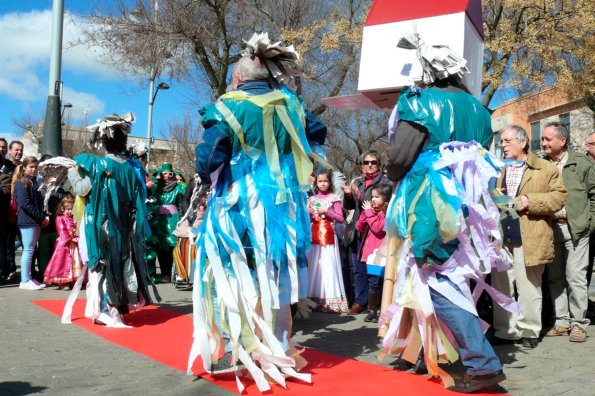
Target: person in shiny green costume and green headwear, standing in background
(168,197)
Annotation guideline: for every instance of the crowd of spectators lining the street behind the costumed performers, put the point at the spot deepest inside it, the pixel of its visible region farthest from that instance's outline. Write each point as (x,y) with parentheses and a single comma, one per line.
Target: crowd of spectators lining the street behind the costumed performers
(552,255)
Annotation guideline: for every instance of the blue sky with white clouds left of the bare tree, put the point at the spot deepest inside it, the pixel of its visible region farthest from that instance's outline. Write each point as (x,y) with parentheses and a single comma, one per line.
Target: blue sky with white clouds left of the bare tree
(92,88)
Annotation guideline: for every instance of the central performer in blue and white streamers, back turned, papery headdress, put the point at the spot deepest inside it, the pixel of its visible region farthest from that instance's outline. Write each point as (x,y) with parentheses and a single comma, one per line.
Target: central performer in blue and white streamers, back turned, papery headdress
(251,248)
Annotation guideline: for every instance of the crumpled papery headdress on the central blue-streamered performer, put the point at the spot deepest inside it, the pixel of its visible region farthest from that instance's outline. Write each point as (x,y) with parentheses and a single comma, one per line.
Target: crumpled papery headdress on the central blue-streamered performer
(282,62)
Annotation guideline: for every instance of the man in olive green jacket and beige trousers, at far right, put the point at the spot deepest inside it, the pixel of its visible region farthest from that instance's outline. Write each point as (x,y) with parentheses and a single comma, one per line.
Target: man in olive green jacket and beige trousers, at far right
(567,274)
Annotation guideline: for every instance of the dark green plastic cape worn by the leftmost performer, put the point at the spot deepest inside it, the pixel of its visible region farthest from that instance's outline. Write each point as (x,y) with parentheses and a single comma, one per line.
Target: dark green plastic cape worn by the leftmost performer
(115,228)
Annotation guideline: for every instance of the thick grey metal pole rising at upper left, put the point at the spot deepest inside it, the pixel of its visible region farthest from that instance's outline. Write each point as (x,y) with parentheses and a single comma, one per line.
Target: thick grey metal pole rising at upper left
(52,133)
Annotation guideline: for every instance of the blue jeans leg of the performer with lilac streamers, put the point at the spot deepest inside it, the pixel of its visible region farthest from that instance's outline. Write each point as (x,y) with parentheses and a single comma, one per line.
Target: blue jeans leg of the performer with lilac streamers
(476,352)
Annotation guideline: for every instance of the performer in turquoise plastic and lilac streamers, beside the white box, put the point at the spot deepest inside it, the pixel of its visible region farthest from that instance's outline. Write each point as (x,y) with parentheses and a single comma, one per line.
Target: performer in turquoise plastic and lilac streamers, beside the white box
(445,222)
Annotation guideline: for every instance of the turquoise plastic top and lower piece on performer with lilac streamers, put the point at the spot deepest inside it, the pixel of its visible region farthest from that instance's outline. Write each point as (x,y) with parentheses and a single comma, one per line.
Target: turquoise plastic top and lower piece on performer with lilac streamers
(433,109)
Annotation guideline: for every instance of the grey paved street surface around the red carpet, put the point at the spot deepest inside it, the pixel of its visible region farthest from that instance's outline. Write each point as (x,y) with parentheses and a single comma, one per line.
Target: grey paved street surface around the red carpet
(40,355)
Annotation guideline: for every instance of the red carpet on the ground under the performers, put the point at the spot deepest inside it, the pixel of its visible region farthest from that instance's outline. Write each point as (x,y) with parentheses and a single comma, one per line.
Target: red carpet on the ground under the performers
(166,336)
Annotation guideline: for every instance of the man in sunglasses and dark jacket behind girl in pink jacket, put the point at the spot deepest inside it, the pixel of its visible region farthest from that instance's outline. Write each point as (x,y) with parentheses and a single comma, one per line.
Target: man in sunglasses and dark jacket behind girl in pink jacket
(359,191)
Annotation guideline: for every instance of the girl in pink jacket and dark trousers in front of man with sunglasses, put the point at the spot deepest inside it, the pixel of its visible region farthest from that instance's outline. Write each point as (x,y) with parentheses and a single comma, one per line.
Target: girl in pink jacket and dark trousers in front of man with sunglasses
(371,225)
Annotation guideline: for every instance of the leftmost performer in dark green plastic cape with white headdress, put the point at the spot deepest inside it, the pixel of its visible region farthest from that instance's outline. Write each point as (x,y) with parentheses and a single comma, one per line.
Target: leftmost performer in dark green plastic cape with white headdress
(113,226)
